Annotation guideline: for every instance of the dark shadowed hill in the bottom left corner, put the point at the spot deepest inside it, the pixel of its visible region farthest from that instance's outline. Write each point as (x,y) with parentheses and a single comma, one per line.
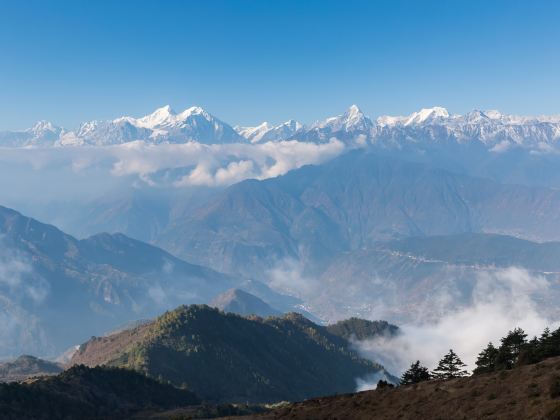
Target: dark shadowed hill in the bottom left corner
(81,392)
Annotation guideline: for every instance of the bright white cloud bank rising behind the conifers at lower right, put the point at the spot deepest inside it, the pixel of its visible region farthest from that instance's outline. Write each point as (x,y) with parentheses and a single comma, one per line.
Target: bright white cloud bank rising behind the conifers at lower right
(501,301)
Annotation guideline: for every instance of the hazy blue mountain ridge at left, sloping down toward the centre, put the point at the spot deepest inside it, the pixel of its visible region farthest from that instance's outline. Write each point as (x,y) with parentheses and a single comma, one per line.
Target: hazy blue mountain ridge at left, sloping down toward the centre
(55,290)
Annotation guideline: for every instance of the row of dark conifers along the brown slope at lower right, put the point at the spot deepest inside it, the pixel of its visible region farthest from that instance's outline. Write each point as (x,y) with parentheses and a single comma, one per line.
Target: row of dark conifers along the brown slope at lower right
(514,350)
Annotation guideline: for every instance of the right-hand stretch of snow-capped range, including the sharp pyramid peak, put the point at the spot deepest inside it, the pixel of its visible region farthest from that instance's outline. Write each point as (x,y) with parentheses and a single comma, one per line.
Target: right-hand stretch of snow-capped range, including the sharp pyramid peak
(435,126)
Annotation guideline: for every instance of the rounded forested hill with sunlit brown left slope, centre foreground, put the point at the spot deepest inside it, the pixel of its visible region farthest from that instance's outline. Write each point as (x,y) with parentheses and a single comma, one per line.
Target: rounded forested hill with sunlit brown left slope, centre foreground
(225,357)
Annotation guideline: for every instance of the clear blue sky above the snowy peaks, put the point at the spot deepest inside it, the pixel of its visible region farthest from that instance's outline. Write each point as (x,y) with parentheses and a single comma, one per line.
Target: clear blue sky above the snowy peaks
(248,61)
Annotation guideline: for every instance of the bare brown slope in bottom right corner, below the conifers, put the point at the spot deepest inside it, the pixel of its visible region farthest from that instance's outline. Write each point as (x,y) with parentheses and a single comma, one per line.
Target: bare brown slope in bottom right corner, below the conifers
(528,392)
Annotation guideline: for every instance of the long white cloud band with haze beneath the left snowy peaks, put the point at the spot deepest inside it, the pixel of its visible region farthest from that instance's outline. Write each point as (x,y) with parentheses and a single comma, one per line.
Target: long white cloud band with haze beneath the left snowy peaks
(87,172)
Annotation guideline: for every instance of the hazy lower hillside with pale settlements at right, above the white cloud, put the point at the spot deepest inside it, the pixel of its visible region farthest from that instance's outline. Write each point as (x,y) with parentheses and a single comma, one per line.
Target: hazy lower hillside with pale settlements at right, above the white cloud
(421,278)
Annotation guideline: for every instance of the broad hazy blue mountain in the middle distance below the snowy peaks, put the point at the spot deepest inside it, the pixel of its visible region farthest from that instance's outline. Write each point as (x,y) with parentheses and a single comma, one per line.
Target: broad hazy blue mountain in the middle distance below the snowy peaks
(316,212)
